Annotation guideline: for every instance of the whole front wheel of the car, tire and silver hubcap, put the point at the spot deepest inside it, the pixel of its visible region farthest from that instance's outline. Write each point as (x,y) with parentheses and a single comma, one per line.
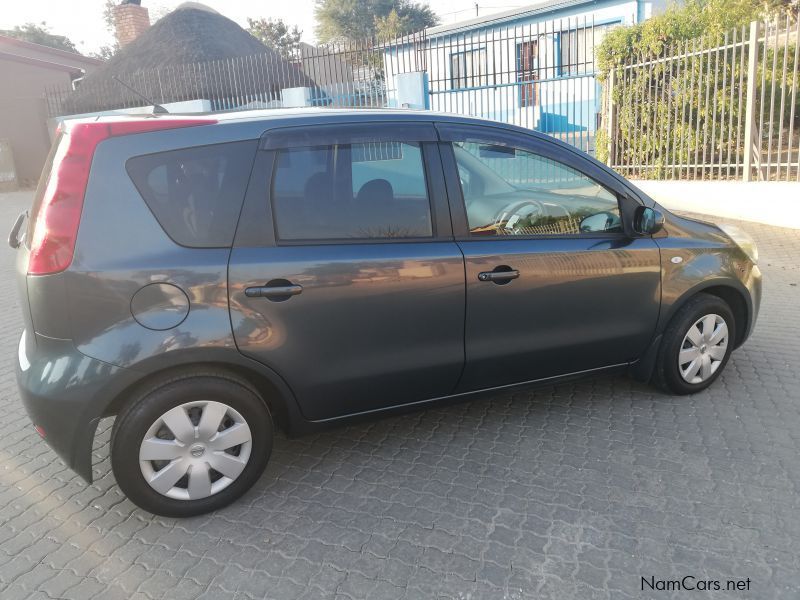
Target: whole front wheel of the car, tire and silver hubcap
(696,345)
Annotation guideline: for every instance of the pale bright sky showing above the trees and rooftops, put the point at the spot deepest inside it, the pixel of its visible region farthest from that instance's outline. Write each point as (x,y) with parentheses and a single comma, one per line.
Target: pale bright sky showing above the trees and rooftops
(82,20)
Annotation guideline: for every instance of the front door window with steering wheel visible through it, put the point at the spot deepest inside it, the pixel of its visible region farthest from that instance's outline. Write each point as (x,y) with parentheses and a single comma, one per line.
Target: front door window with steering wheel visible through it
(511,191)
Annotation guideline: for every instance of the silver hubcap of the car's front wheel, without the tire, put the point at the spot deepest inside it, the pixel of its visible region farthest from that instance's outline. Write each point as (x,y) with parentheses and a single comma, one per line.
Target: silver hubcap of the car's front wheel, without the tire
(703,349)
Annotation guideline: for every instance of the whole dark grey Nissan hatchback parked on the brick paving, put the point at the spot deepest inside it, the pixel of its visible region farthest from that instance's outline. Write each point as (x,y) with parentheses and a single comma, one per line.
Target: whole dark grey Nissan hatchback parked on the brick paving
(208,278)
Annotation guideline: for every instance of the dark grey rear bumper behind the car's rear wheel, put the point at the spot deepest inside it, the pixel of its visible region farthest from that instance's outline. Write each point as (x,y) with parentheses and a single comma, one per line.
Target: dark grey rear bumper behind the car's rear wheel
(65,394)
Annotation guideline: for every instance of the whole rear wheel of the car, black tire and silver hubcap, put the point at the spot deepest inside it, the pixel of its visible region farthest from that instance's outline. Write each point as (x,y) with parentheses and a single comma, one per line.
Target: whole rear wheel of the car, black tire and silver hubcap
(191,445)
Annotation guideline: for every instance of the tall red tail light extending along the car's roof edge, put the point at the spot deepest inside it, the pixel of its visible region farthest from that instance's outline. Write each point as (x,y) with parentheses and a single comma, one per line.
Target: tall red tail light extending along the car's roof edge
(56,219)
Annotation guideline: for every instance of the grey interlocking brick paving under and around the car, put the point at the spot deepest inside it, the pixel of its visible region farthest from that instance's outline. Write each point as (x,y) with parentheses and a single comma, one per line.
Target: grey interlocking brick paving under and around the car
(570,491)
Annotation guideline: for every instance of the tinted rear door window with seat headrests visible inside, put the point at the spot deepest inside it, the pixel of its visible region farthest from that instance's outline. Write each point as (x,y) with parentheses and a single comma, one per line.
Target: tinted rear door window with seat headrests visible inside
(373,190)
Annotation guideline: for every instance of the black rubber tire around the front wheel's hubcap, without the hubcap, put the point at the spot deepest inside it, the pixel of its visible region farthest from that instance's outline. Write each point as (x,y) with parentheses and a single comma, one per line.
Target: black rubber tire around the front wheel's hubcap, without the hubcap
(667,374)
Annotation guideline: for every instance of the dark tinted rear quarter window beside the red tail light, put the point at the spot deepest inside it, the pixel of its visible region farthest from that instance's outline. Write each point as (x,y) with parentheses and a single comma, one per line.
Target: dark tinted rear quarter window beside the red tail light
(196,193)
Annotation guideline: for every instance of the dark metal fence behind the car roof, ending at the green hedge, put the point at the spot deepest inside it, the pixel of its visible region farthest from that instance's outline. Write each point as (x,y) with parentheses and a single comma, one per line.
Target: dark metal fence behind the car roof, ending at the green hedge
(540,76)
